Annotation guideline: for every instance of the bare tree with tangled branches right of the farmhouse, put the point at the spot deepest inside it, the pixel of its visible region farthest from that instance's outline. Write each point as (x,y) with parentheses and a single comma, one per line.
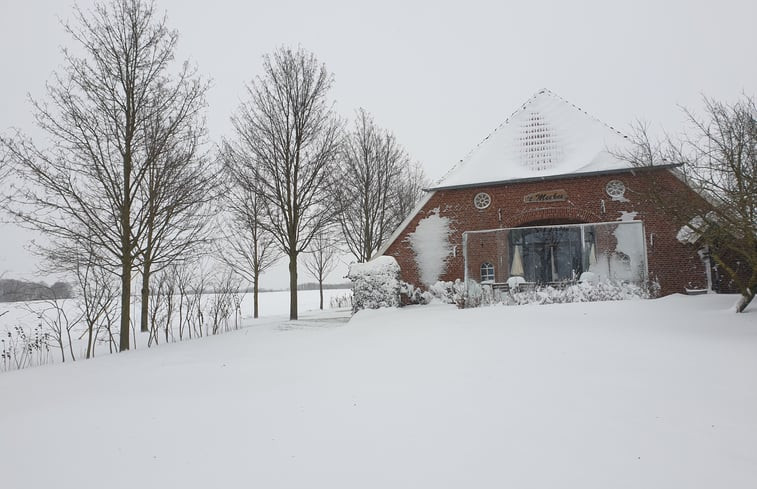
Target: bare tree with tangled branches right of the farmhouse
(718,159)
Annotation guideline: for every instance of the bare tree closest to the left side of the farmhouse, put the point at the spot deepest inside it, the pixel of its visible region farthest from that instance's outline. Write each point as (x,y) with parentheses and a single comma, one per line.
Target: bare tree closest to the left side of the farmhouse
(378,187)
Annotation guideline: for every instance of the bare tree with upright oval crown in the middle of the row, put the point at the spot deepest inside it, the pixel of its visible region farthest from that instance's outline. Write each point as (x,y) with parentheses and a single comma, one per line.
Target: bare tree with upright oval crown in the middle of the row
(290,137)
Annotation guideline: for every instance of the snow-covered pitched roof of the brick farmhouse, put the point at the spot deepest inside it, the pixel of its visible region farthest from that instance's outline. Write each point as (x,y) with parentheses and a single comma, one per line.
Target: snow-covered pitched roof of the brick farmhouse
(546,137)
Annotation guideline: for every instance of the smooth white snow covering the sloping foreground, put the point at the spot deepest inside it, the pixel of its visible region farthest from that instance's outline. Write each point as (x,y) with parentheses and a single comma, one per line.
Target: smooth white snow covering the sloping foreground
(652,394)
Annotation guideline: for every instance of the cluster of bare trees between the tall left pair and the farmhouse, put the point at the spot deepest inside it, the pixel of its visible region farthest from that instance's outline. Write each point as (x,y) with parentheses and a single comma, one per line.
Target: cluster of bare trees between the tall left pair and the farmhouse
(301,183)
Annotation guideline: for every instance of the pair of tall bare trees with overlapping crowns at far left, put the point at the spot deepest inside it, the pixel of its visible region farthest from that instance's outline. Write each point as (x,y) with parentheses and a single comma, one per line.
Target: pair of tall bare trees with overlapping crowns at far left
(124,184)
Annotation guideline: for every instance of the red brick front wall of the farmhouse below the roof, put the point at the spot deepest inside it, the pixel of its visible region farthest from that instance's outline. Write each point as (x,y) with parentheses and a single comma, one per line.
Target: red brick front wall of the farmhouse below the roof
(674,265)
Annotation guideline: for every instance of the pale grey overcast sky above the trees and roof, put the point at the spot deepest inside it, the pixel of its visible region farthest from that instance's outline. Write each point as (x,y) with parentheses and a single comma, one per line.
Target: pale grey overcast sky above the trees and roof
(440,75)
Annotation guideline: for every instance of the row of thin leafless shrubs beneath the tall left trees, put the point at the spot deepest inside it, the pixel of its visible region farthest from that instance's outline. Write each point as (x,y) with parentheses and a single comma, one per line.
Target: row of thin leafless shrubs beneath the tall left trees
(187,300)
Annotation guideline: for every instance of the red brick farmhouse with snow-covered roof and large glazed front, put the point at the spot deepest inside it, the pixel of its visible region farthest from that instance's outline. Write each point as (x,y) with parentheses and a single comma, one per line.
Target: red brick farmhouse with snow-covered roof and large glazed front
(545,198)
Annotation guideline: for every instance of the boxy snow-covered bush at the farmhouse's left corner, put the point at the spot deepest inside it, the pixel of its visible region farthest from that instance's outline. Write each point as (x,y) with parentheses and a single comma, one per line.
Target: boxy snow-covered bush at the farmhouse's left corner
(375,284)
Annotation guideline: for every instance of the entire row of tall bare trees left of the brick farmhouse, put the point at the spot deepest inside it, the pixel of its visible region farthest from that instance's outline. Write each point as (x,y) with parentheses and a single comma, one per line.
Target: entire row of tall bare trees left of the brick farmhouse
(126,188)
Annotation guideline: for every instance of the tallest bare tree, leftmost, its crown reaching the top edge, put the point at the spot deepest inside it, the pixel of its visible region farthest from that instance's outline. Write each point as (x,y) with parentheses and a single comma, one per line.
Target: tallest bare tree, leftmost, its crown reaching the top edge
(100,121)
